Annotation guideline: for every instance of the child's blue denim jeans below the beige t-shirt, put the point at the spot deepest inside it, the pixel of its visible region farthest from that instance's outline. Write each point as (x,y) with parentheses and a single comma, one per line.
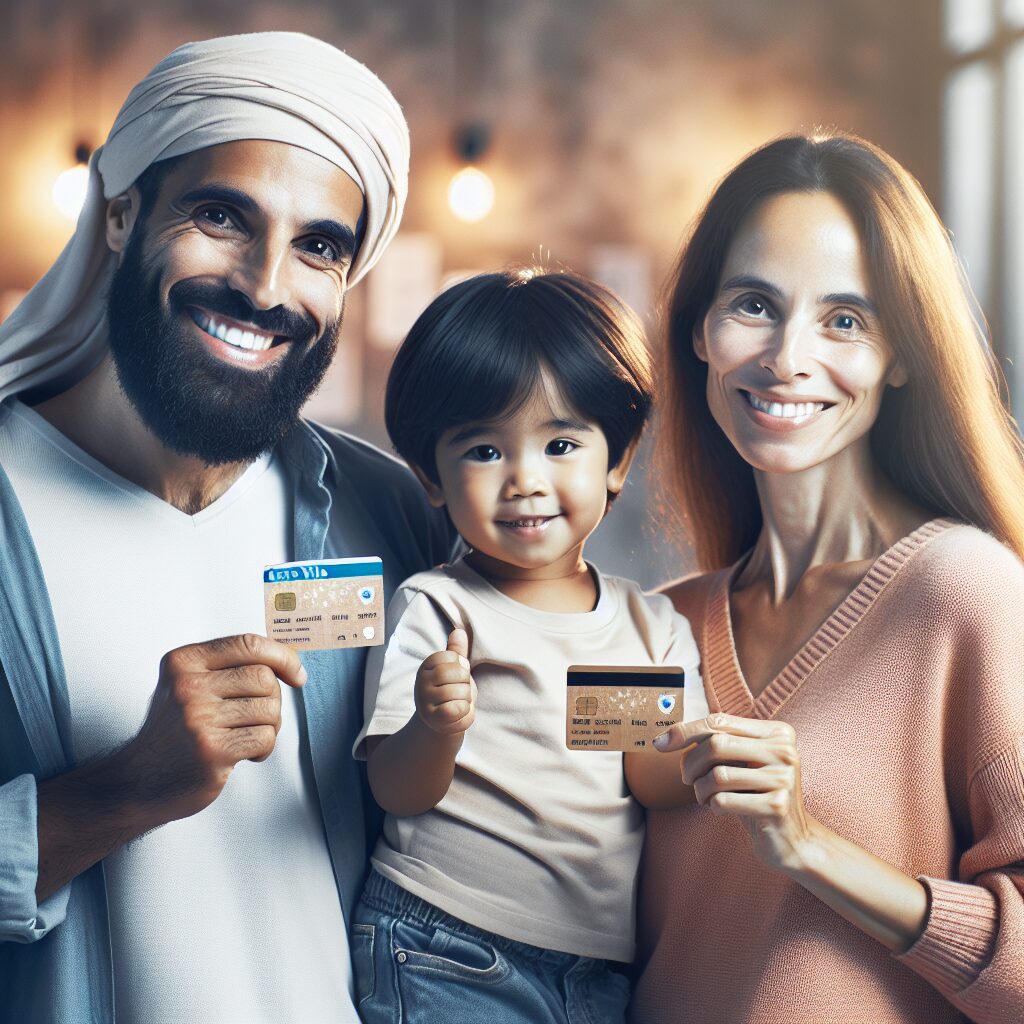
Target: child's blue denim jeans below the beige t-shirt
(416,965)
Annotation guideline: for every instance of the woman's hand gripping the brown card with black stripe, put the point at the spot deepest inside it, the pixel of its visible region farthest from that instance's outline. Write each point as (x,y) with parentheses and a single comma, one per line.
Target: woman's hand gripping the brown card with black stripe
(750,769)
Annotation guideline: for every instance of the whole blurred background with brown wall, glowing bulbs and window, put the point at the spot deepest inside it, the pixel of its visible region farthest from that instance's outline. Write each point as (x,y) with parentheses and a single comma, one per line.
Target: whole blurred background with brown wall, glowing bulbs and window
(584,134)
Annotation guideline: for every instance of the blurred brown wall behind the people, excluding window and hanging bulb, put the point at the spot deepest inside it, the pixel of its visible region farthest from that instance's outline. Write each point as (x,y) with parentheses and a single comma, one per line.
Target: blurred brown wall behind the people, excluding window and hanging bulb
(611,122)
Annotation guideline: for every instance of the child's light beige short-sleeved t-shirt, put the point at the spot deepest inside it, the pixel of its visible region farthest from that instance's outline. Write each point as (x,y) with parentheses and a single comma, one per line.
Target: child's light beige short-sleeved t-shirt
(533,841)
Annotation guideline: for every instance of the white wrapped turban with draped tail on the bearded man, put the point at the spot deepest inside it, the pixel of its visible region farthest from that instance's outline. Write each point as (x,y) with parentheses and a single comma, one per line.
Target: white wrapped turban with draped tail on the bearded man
(280,87)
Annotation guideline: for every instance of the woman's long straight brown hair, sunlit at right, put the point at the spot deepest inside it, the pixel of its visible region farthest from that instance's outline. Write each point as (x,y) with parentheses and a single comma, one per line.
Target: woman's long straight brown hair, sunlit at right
(945,439)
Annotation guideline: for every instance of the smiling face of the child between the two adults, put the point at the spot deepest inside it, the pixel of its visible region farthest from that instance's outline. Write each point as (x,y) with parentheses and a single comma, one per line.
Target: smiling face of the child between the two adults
(526,492)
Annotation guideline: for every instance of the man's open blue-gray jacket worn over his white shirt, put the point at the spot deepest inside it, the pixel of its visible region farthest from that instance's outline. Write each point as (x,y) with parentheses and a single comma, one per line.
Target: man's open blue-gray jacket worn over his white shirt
(351,500)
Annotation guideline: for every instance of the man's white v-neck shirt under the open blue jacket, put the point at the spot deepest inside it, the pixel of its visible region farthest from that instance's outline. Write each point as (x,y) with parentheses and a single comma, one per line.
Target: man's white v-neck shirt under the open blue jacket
(232,915)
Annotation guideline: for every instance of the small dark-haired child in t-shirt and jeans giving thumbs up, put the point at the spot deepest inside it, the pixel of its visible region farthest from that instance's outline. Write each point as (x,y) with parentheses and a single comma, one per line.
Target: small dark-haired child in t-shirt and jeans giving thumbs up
(504,880)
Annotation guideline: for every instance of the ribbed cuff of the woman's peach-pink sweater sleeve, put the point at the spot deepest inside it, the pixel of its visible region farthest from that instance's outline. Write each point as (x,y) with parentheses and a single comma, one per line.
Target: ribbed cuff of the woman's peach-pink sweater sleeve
(960,936)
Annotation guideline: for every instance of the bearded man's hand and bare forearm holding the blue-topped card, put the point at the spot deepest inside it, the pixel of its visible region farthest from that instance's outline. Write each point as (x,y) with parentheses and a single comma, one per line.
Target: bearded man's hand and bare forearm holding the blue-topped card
(217,704)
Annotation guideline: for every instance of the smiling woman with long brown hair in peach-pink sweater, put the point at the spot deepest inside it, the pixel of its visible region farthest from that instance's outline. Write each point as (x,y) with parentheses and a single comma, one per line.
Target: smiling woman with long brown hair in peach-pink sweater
(852,847)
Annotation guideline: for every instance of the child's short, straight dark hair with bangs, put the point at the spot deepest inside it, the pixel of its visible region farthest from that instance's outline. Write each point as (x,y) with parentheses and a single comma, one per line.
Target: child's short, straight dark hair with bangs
(478,352)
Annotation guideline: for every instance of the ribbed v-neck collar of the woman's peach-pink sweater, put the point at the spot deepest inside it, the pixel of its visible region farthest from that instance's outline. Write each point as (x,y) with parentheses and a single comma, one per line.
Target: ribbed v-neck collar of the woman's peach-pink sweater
(721,663)
